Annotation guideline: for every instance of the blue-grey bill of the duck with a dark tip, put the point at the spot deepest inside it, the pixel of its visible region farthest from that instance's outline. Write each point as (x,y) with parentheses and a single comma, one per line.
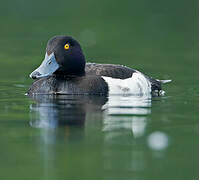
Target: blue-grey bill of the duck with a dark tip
(47,67)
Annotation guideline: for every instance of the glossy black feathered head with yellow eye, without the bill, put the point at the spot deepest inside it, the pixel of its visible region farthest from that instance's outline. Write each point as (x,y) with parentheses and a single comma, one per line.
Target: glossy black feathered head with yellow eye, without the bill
(68,54)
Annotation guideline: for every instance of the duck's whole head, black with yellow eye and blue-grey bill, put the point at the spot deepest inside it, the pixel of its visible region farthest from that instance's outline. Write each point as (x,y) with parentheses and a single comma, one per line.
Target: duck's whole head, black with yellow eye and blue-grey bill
(63,56)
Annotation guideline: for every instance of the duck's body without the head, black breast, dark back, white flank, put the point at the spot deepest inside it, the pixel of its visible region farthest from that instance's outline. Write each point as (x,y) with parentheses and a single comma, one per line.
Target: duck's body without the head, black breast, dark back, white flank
(99,79)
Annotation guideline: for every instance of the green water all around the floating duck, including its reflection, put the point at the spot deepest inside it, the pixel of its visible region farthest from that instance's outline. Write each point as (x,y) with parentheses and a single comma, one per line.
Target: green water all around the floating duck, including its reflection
(101,138)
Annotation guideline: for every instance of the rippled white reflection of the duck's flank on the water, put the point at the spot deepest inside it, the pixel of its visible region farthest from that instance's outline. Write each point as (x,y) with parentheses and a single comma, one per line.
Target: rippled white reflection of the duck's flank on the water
(127,112)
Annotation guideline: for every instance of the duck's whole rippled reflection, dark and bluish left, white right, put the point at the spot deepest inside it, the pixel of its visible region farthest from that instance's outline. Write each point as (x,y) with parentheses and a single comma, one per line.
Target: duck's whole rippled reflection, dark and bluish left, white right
(118,112)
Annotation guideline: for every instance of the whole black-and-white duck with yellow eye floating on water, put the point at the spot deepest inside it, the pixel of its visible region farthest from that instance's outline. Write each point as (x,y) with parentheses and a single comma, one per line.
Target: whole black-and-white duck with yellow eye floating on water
(64,70)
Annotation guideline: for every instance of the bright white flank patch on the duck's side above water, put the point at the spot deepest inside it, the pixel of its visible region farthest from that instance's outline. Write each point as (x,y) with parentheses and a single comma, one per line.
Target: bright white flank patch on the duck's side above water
(135,85)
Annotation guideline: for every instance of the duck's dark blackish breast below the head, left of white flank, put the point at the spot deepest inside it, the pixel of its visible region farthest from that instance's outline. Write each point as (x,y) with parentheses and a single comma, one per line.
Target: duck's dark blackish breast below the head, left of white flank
(89,84)
